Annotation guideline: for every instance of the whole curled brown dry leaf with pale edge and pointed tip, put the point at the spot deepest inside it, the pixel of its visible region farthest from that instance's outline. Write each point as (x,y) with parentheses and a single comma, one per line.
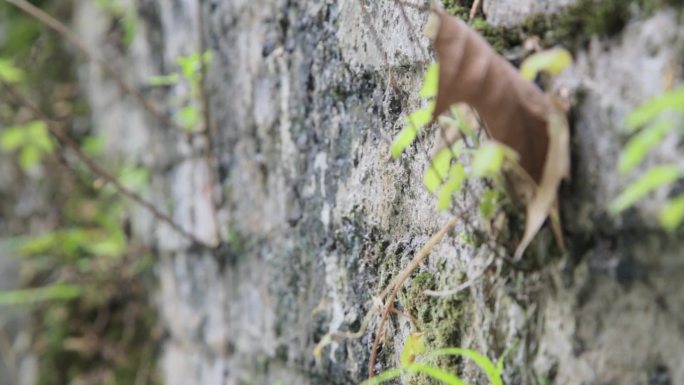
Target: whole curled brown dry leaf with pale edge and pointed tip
(515,112)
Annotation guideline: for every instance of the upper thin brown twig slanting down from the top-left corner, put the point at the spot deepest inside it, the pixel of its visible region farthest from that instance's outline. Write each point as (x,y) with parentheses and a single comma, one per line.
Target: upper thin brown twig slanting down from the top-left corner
(60,28)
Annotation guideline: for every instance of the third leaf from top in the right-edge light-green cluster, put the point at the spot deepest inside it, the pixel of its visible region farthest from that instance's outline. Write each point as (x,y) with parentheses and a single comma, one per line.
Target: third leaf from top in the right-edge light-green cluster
(654,178)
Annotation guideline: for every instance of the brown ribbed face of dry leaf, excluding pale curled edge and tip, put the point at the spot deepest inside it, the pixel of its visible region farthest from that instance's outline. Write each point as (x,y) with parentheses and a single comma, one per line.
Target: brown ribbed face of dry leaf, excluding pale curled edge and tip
(513,109)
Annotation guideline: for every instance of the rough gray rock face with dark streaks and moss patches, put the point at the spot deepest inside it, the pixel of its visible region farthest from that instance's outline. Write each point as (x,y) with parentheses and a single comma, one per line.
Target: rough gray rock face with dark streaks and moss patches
(315,217)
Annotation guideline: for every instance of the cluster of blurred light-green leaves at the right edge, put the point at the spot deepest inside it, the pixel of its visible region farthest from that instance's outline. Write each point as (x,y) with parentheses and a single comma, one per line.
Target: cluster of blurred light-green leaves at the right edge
(649,124)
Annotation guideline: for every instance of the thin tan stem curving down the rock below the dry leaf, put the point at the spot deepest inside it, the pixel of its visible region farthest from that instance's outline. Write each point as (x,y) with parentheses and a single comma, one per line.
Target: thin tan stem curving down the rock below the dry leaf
(396,284)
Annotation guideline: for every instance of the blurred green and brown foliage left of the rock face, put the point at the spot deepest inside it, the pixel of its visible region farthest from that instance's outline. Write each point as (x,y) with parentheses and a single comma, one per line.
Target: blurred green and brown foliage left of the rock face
(87,282)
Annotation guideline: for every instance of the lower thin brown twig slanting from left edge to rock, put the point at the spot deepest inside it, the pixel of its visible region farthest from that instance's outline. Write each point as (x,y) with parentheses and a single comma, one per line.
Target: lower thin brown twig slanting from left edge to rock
(98,170)
